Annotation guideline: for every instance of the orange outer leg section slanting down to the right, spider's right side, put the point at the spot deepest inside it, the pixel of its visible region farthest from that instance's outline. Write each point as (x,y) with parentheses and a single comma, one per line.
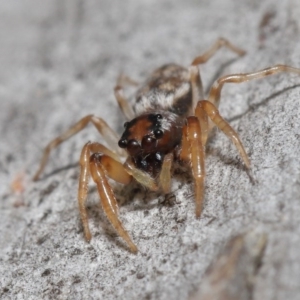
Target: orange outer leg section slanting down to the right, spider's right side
(214,115)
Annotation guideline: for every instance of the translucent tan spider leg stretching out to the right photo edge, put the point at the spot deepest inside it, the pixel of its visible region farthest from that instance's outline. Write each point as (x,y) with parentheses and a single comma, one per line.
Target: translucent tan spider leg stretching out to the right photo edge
(215,91)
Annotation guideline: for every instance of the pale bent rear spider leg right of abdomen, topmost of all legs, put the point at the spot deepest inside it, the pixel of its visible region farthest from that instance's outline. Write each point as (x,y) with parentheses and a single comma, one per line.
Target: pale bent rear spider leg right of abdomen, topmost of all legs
(195,78)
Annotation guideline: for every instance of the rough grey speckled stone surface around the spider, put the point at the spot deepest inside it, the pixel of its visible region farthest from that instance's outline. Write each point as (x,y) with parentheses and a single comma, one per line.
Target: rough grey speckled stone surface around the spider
(59,61)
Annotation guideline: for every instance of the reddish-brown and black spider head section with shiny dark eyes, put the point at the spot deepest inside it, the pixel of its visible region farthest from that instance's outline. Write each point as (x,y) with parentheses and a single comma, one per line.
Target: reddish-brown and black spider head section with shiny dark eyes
(149,137)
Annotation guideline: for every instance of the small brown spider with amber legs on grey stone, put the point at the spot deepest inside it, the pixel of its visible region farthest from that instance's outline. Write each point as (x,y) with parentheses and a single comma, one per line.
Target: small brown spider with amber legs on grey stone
(168,122)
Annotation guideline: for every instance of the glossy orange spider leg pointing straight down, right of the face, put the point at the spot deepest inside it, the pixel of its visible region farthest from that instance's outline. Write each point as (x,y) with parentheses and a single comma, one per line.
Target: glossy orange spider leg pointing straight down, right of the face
(196,155)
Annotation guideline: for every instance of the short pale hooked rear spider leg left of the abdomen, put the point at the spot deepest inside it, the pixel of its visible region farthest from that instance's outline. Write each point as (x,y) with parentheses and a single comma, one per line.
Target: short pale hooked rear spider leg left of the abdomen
(119,94)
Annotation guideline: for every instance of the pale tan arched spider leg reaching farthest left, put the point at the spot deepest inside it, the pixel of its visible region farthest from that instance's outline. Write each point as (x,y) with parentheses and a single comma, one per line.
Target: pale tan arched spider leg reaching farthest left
(110,136)
